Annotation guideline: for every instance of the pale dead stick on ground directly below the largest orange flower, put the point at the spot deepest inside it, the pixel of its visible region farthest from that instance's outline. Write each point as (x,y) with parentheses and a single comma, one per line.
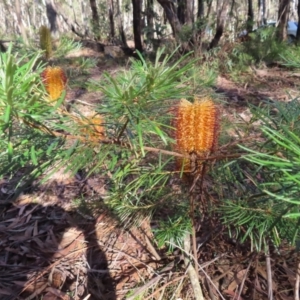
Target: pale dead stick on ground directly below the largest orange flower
(191,270)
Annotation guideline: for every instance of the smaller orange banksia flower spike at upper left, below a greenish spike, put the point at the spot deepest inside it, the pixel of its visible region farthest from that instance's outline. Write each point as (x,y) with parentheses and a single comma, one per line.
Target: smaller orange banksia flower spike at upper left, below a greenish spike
(55,80)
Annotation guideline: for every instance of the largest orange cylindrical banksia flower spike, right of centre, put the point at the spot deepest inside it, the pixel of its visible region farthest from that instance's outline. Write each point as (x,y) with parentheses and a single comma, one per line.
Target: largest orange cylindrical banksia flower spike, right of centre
(196,128)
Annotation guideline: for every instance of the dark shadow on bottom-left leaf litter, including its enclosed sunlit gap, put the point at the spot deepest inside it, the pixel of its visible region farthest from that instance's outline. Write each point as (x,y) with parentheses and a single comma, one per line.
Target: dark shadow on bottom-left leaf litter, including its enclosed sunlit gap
(50,251)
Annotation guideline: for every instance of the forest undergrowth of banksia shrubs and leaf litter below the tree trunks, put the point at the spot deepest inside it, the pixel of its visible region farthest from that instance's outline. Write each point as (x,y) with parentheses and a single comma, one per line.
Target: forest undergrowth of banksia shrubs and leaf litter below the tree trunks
(137,179)
